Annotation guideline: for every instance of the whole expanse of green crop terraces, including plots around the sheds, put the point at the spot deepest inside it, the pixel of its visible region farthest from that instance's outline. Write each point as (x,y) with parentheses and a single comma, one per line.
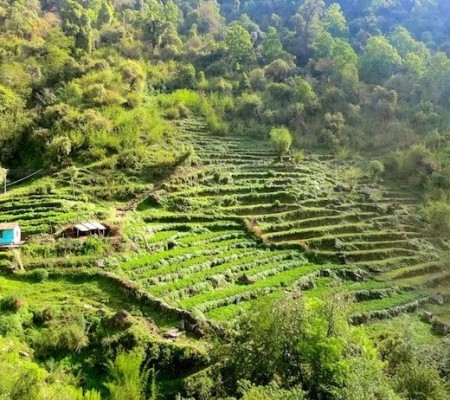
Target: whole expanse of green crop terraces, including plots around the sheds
(239,227)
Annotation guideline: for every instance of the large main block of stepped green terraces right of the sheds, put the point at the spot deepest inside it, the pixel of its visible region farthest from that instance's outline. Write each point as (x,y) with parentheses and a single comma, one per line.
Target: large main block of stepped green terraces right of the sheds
(241,227)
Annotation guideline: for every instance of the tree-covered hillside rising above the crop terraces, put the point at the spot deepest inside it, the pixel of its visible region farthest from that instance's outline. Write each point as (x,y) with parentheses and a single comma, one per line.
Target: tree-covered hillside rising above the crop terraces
(80,79)
